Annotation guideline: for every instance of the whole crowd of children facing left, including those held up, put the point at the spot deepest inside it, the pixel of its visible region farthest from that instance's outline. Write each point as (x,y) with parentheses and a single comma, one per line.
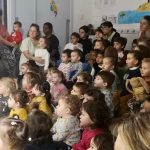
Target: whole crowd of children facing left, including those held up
(78,102)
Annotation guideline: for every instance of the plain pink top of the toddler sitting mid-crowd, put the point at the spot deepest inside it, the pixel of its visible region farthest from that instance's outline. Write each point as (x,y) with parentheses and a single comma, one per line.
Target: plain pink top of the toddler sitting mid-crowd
(57,91)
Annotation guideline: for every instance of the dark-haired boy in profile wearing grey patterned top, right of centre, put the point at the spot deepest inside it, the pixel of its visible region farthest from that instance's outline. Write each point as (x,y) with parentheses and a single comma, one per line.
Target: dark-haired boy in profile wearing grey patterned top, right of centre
(104,81)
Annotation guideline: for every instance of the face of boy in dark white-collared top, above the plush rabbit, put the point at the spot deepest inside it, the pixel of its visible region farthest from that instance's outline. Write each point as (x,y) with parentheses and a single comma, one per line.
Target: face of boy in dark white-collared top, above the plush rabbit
(131,61)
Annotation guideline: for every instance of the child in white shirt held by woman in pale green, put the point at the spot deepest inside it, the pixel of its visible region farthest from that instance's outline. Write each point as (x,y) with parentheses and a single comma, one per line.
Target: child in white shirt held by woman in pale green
(42,52)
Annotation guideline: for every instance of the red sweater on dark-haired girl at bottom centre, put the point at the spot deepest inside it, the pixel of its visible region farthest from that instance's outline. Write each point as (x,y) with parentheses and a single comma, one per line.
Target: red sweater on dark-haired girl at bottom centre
(87,135)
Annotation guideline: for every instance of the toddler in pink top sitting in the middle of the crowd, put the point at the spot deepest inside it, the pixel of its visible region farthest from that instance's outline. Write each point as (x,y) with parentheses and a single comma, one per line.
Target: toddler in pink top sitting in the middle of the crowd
(58,88)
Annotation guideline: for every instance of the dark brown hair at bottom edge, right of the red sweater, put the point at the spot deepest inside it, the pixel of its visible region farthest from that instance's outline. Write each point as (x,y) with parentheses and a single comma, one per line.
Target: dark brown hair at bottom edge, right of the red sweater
(104,141)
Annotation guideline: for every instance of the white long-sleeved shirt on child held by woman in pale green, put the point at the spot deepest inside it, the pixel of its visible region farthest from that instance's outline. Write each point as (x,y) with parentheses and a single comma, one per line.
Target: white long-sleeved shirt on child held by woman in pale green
(44,54)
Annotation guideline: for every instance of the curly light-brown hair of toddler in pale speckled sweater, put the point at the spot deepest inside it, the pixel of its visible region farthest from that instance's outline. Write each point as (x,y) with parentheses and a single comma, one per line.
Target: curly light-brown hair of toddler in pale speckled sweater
(74,103)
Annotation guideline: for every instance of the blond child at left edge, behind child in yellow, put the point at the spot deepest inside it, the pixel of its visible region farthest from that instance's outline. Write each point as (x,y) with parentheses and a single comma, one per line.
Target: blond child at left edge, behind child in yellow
(7,85)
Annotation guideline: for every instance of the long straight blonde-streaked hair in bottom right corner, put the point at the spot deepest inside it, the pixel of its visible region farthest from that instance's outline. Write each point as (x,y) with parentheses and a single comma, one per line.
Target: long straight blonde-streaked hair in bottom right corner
(136,128)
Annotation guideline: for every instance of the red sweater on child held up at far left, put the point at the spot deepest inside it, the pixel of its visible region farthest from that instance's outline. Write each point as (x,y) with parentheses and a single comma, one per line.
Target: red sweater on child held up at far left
(15,37)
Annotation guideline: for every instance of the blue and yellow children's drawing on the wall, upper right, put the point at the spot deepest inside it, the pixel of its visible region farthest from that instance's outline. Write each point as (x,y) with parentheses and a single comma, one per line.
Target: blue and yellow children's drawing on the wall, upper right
(134,16)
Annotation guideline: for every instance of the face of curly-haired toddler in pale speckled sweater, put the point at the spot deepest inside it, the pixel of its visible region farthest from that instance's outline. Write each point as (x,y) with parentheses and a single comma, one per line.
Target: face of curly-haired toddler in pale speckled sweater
(62,108)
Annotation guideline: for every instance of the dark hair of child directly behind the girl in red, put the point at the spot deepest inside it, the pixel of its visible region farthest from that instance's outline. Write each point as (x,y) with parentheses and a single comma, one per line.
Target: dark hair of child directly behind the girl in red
(95,94)
